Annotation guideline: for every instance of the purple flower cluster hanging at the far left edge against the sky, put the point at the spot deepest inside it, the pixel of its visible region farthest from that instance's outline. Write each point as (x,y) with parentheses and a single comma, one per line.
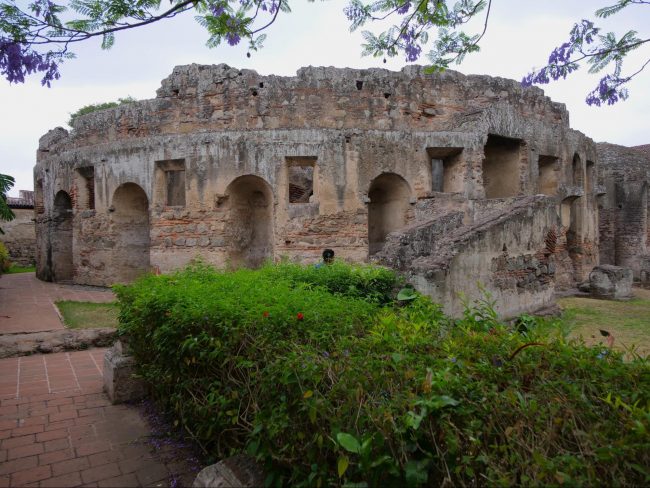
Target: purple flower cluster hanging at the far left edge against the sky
(17,61)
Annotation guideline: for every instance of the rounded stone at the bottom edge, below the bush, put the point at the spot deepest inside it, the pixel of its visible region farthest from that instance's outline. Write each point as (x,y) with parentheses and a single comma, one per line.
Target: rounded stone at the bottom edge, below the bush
(233,472)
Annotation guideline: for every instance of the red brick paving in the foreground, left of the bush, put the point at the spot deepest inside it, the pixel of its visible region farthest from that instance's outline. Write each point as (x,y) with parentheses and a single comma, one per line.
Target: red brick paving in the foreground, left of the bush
(57,428)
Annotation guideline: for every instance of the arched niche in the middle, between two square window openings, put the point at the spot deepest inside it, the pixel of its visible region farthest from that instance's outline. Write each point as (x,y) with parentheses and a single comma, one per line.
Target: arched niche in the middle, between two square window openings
(250,221)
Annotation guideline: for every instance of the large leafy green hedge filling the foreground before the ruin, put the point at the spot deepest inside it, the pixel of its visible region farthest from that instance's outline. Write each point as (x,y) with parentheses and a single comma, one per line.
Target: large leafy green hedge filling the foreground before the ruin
(336,388)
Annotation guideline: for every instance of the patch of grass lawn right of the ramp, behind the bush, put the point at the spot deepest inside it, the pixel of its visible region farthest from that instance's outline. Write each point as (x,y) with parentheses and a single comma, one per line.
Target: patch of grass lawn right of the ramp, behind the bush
(627,321)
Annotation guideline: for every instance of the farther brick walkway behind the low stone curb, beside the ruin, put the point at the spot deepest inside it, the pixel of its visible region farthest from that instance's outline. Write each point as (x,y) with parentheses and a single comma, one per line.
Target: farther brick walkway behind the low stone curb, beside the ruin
(27,304)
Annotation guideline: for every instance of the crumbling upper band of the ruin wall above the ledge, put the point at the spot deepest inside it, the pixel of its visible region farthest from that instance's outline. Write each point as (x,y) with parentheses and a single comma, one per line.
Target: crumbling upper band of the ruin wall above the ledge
(206,98)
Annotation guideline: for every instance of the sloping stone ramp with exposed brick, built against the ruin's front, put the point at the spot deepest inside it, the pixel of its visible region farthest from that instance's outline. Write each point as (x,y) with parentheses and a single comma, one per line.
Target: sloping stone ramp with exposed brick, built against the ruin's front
(506,250)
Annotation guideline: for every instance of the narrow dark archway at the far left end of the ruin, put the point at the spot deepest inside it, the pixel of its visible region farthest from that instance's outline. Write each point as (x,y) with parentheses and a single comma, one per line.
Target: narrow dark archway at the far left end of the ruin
(62,268)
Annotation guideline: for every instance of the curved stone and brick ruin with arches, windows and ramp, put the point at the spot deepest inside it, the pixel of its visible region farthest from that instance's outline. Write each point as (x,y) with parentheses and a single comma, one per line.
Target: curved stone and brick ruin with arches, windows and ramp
(464,183)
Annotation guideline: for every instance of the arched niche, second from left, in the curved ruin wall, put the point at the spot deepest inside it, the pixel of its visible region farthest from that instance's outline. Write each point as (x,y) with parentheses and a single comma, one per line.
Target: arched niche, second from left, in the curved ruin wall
(130,230)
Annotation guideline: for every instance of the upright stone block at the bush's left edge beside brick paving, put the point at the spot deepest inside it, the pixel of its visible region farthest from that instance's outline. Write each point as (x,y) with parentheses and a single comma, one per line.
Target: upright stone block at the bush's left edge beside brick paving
(120,381)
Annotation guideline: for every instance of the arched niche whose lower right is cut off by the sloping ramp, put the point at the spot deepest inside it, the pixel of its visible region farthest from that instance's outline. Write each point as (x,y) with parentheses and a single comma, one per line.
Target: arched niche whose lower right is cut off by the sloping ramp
(389,196)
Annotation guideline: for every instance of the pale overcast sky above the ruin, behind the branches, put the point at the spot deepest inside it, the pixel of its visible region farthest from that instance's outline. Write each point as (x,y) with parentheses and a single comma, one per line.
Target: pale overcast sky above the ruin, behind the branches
(520,35)
